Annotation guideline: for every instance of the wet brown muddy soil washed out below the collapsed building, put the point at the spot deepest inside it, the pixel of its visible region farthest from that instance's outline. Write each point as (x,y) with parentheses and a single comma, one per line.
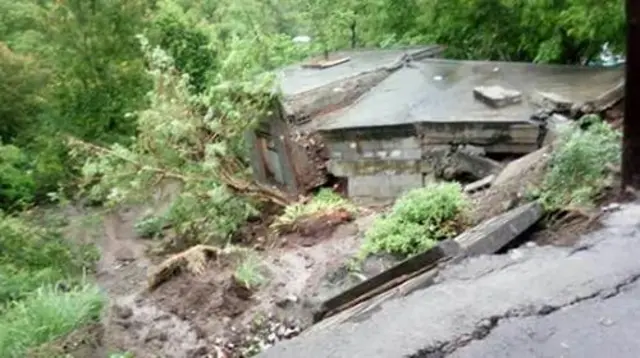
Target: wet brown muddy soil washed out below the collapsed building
(210,315)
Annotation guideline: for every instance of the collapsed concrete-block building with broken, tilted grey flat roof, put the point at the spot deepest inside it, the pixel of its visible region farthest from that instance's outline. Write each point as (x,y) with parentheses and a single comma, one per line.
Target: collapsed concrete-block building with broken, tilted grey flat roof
(386,122)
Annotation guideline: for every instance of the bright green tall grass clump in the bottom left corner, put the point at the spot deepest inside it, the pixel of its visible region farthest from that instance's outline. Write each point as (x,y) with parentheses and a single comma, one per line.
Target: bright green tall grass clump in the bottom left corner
(47,314)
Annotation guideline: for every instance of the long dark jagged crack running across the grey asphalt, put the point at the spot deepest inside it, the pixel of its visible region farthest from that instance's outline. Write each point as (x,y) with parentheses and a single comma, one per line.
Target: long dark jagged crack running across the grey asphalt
(487,325)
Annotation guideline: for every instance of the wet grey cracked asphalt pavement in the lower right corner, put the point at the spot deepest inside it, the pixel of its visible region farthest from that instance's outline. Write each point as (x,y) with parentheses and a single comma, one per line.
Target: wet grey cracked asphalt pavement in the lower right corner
(532,302)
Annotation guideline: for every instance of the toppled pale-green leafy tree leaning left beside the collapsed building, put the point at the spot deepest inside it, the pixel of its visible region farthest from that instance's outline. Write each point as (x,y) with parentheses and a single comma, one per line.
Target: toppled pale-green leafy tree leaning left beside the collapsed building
(196,141)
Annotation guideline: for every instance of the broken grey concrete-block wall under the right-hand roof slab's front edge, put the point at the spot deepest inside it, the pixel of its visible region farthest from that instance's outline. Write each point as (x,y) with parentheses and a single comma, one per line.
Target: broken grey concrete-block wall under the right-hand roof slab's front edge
(384,162)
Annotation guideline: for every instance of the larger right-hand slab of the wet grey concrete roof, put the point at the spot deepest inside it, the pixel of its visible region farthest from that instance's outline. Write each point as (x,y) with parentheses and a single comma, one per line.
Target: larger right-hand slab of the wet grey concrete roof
(435,90)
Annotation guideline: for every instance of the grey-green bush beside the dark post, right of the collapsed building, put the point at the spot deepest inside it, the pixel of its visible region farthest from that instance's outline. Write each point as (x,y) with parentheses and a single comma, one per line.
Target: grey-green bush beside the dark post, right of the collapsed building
(578,169)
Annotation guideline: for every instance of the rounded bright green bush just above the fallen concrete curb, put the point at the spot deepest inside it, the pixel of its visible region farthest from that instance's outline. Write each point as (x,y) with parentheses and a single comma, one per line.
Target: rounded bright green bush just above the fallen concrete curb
(417,221)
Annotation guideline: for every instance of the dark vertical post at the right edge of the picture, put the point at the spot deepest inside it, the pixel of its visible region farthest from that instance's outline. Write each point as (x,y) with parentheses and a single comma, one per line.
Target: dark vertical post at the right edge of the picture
(631,131)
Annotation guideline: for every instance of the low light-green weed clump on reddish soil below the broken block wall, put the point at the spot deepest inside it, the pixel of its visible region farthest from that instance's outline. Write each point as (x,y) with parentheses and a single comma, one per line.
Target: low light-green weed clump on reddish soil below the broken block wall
(324,203)
